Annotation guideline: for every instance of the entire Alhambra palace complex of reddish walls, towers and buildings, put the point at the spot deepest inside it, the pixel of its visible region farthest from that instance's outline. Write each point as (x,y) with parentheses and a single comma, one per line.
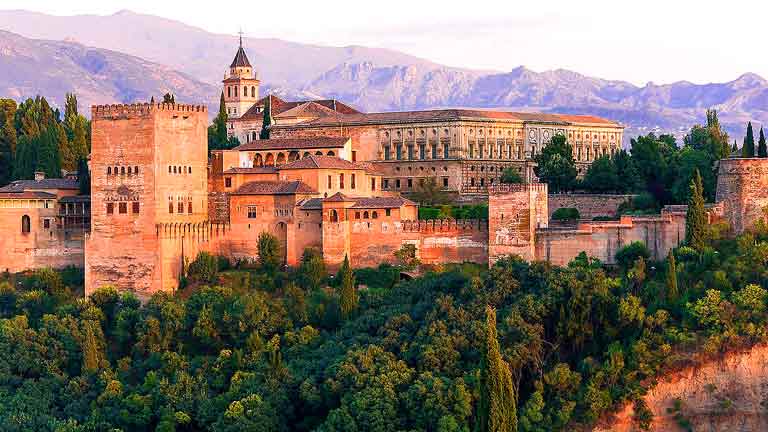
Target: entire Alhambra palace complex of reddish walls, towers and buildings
(329,178)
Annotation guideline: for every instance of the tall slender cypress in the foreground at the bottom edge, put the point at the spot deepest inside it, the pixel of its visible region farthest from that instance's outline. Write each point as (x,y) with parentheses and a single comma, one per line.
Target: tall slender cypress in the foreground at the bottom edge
(497,411)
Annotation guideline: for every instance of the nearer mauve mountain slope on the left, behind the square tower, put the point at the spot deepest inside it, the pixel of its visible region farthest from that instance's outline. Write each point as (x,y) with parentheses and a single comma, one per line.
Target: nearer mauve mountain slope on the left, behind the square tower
(30,67)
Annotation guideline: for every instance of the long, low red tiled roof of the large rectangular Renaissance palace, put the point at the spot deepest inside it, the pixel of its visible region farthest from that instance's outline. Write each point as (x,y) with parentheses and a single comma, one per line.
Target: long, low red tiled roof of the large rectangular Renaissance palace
(450,115)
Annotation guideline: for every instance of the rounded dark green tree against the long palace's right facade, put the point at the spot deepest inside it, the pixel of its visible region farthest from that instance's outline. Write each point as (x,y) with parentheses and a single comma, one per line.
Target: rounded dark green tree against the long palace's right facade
(556,166)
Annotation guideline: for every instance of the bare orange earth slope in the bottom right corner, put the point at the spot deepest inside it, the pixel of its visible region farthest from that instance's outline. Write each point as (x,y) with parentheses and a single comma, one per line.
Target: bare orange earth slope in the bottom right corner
(729,393)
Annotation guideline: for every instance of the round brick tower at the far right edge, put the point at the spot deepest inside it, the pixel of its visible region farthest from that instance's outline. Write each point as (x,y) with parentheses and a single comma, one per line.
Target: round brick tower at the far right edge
(742,188)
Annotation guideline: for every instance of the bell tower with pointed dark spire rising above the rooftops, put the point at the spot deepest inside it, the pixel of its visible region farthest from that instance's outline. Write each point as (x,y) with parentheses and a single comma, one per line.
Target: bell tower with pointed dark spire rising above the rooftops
(241,85)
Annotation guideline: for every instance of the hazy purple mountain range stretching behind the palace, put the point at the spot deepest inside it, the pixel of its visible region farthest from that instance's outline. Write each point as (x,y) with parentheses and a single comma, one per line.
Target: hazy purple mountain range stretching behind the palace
(128,56)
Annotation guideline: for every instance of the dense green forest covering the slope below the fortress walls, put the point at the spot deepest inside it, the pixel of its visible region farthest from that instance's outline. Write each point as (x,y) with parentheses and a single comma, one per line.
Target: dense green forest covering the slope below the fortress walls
(254,347)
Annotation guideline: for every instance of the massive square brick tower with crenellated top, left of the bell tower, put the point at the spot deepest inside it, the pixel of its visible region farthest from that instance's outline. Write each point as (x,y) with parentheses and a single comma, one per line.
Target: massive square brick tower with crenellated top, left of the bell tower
(148,166)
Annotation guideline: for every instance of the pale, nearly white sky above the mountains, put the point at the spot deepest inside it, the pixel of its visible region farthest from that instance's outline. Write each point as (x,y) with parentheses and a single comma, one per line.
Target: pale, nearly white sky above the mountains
(638,41)
